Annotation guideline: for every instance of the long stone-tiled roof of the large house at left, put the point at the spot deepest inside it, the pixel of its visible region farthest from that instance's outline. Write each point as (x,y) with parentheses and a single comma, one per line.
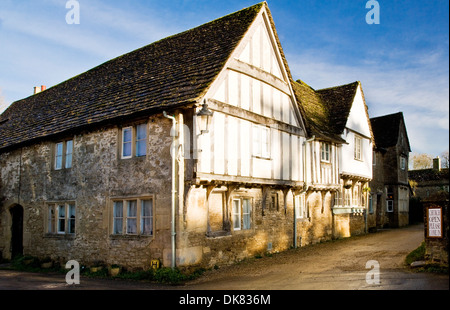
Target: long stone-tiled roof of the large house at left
(171,72)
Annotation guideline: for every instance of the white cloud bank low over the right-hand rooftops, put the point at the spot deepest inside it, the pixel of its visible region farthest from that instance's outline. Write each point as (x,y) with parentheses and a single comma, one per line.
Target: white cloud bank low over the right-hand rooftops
(418,87)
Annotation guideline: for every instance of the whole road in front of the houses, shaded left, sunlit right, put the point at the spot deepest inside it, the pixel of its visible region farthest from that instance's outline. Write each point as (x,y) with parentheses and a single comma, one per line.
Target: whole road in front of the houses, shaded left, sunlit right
(334,265)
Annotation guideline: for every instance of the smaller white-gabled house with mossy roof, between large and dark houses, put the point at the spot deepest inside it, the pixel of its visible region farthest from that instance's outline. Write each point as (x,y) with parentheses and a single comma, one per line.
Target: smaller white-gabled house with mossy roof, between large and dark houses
(338,153)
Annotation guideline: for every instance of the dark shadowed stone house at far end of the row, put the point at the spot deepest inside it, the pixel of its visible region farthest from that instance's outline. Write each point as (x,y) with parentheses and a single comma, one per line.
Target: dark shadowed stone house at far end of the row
(389,205)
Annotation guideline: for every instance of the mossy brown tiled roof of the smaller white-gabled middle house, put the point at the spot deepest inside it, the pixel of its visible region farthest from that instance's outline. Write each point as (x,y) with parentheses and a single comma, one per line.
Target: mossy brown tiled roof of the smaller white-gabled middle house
(326,110)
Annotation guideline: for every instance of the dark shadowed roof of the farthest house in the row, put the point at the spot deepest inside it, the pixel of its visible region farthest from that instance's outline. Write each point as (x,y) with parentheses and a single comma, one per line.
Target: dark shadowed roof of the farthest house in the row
(386,129)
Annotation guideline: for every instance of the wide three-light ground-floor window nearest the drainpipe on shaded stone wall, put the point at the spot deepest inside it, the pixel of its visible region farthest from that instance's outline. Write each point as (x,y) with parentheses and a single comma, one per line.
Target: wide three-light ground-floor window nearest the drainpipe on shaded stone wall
(133,217)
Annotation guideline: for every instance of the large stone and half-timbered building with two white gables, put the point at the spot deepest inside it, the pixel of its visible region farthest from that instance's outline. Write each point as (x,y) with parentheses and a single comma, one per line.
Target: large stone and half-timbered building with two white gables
(197,150)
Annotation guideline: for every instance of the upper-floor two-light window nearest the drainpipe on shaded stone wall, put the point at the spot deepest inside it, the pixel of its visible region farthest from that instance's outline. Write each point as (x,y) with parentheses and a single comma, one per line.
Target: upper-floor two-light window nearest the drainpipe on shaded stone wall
(134,141)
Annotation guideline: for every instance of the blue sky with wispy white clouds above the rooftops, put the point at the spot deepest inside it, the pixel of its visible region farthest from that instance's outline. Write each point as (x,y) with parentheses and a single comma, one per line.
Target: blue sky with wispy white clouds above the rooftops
(402,63)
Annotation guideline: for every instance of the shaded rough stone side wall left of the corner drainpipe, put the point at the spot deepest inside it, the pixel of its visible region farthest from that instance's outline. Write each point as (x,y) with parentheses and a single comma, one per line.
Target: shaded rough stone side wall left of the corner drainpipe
(97,176)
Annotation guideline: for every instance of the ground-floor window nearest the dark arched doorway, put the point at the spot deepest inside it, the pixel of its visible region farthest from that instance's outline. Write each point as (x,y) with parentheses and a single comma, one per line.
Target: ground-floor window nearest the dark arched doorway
(61,218)
